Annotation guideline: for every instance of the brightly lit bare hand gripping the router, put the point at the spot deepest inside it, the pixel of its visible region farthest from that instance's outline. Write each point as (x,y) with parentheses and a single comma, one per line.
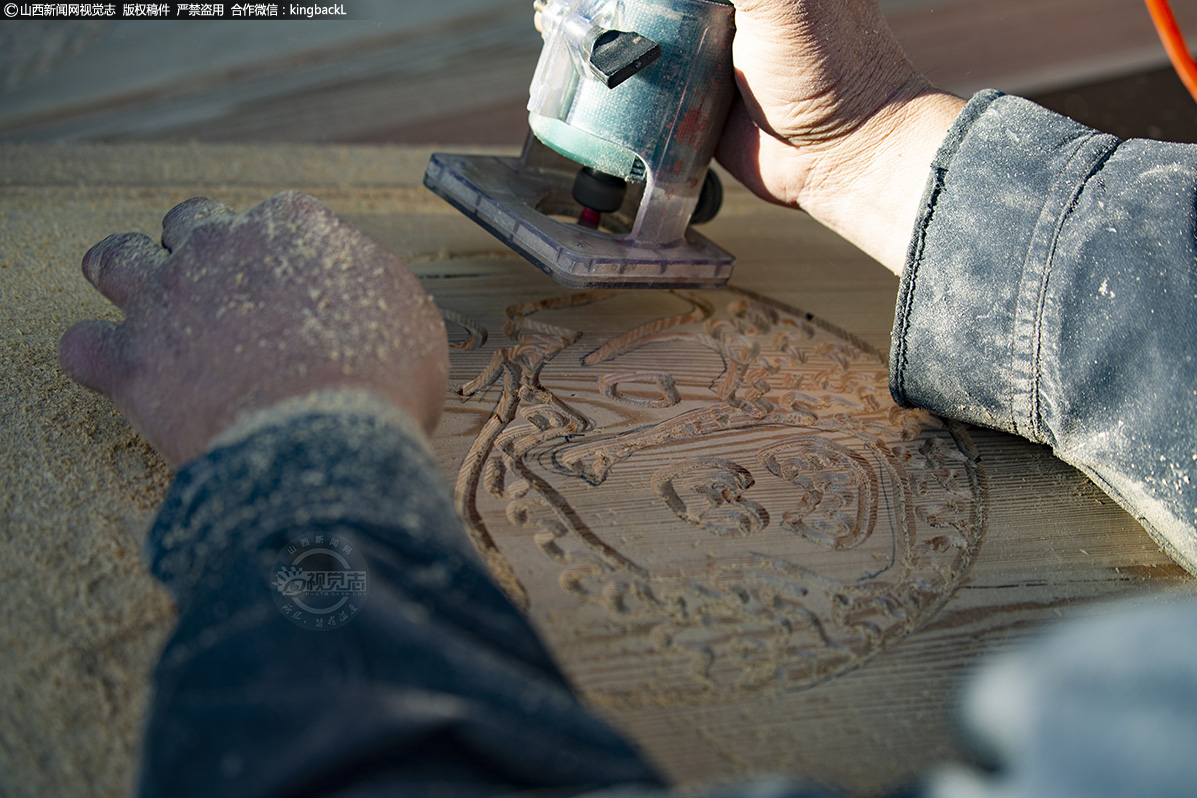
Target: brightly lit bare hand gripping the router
(834,119)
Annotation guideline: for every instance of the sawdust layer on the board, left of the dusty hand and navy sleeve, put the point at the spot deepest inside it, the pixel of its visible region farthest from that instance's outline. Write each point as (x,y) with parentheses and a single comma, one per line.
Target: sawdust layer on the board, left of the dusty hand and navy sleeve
(82,623)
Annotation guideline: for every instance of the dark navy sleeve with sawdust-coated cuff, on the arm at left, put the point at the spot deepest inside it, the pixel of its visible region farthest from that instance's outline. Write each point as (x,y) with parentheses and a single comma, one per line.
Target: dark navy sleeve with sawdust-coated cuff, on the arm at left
(429,681)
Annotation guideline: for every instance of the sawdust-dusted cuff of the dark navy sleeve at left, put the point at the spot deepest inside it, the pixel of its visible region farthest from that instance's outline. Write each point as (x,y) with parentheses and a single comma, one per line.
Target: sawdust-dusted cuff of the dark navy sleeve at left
(324,460)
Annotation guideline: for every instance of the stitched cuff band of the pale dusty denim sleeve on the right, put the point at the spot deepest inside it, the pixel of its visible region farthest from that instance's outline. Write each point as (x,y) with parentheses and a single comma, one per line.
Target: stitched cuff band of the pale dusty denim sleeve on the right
(967,328)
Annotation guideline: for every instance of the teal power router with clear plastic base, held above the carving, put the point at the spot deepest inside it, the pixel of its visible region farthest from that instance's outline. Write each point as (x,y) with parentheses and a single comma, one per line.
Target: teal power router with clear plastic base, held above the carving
(627,105)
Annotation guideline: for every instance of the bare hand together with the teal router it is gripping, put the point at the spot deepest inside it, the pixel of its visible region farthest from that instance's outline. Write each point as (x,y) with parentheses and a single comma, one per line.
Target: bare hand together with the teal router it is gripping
(629,100)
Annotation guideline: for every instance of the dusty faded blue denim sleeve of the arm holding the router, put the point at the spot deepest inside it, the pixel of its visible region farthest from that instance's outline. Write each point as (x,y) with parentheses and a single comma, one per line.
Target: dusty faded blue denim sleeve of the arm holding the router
(1052,291)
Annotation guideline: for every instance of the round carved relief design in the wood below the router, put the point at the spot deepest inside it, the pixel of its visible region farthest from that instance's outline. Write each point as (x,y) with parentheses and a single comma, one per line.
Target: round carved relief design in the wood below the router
(726,495)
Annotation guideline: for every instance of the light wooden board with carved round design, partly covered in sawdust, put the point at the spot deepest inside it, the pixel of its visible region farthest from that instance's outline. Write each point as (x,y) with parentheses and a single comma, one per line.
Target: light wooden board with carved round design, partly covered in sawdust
(740,552)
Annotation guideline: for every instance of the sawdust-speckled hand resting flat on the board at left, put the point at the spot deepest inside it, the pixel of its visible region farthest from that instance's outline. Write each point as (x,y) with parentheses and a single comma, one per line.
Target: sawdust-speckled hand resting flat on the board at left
(235,313)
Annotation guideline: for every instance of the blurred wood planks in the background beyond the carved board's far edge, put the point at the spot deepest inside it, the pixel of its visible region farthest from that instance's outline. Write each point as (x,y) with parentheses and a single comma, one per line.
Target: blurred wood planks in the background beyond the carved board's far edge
(459,71)
